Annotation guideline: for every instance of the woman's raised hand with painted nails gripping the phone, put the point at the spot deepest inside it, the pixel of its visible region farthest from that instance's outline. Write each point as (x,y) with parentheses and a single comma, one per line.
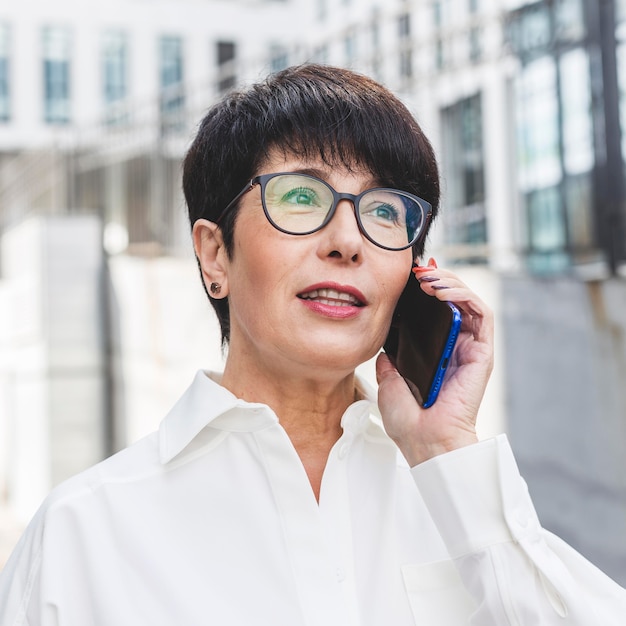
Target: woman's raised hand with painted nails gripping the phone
(450,422)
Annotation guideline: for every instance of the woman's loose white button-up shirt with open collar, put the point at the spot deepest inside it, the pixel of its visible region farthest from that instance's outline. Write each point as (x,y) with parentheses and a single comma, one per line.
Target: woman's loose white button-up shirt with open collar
(212,521)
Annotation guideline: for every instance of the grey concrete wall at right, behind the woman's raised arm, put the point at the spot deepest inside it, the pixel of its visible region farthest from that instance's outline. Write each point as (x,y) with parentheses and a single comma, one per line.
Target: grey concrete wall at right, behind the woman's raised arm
(566,405)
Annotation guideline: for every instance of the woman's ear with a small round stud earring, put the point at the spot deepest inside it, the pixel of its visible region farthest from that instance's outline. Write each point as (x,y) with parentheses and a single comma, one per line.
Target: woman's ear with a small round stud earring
(211,254)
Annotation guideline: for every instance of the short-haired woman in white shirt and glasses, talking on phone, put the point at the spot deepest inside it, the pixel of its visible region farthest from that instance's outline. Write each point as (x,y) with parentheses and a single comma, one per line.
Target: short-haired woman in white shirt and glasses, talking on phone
(273,493)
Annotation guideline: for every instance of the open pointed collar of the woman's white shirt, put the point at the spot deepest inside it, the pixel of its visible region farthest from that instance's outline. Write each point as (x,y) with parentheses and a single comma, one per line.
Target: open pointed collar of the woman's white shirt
(206,403)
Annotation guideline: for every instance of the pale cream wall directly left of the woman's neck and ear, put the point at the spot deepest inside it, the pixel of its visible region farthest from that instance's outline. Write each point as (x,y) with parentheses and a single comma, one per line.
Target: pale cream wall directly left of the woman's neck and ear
(163,331)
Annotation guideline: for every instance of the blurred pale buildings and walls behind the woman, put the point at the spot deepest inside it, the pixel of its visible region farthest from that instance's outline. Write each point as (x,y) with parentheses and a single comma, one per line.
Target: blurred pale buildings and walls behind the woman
(103,320)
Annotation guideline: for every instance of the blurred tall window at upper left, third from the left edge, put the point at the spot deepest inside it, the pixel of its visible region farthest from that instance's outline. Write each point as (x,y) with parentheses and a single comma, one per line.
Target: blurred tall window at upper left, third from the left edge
(114,73)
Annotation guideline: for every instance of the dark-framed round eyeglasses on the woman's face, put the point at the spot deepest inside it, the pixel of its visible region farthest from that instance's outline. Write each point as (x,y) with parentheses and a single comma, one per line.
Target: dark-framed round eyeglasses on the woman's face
(300,204)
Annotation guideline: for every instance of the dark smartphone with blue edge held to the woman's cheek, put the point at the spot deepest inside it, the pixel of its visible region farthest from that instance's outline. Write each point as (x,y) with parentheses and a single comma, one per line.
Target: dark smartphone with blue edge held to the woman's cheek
(421,339)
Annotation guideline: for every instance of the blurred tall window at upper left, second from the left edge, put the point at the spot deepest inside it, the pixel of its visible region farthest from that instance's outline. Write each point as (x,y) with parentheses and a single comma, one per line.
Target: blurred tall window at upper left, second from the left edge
(56,73)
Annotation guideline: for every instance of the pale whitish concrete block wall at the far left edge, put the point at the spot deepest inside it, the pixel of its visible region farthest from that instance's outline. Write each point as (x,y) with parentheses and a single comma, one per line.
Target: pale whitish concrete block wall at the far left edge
(51,391)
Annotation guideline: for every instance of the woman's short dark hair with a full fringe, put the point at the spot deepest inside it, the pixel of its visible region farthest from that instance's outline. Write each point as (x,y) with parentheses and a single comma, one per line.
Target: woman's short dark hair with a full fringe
(309,111)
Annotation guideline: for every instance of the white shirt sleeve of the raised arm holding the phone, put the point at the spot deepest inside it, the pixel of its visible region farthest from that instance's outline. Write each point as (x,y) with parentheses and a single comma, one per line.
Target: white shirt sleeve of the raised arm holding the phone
(517,572)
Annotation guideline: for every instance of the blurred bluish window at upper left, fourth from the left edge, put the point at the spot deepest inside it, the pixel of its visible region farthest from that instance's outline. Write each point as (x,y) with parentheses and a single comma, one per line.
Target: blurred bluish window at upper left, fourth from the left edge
(171,80)
